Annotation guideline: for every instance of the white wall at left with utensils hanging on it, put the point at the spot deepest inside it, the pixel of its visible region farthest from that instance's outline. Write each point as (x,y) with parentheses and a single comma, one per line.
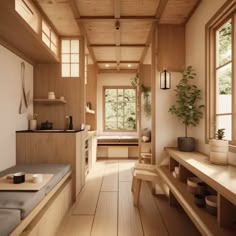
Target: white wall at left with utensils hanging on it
(10,91)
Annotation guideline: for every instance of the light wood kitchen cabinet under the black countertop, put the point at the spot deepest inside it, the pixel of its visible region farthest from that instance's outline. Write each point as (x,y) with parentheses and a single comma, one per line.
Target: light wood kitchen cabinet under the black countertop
(54,147)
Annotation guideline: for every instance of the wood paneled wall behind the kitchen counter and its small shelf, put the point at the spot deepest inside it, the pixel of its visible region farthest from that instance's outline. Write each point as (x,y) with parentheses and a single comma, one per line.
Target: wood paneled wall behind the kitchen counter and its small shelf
(47,78)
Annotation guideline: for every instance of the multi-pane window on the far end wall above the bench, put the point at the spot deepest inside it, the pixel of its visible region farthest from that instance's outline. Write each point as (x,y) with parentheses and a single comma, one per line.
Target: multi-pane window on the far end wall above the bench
(120,109)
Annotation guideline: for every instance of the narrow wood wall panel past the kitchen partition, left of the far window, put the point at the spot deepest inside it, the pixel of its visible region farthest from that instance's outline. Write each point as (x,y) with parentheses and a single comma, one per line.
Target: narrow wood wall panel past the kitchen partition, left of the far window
(91,96)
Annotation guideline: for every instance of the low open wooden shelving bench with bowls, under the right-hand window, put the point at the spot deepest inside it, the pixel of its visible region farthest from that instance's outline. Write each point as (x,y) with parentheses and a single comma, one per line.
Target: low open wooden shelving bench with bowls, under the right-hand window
(220,178)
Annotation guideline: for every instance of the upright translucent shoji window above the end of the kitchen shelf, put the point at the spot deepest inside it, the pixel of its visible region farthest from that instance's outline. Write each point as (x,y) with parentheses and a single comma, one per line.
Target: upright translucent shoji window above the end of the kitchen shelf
(70,58)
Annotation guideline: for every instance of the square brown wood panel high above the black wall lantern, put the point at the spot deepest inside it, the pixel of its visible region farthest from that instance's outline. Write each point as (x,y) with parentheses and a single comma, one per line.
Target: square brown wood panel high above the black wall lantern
(171,47)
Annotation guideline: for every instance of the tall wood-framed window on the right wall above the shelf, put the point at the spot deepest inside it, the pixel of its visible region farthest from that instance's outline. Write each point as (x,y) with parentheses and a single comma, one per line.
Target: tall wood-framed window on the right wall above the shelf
(221,73)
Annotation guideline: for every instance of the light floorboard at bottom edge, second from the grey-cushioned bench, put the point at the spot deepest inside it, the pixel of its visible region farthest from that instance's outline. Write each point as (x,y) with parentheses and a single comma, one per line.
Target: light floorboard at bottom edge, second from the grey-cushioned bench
(105,221)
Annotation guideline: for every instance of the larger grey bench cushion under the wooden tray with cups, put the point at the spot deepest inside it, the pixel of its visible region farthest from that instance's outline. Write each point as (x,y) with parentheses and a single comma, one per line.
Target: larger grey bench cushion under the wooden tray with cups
(26,201)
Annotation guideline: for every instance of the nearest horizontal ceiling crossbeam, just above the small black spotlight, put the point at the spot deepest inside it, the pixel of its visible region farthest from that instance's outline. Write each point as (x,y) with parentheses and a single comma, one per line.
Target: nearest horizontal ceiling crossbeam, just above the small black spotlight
(112,19)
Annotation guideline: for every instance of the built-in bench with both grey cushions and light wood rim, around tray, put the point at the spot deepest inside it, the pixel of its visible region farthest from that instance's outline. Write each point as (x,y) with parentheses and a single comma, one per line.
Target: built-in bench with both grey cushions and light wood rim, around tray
(19,204)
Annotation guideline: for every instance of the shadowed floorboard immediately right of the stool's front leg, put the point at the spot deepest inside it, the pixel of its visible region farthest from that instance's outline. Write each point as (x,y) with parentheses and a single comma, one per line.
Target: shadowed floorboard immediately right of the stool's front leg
(153,224)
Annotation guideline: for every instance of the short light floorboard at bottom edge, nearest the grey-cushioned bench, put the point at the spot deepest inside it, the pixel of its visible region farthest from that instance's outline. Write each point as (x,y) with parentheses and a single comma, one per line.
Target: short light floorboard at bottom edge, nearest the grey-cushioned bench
(76,225)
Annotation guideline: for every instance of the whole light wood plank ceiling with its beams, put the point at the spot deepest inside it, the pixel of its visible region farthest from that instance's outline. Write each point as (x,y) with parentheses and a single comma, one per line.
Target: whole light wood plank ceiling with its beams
(117,32)
